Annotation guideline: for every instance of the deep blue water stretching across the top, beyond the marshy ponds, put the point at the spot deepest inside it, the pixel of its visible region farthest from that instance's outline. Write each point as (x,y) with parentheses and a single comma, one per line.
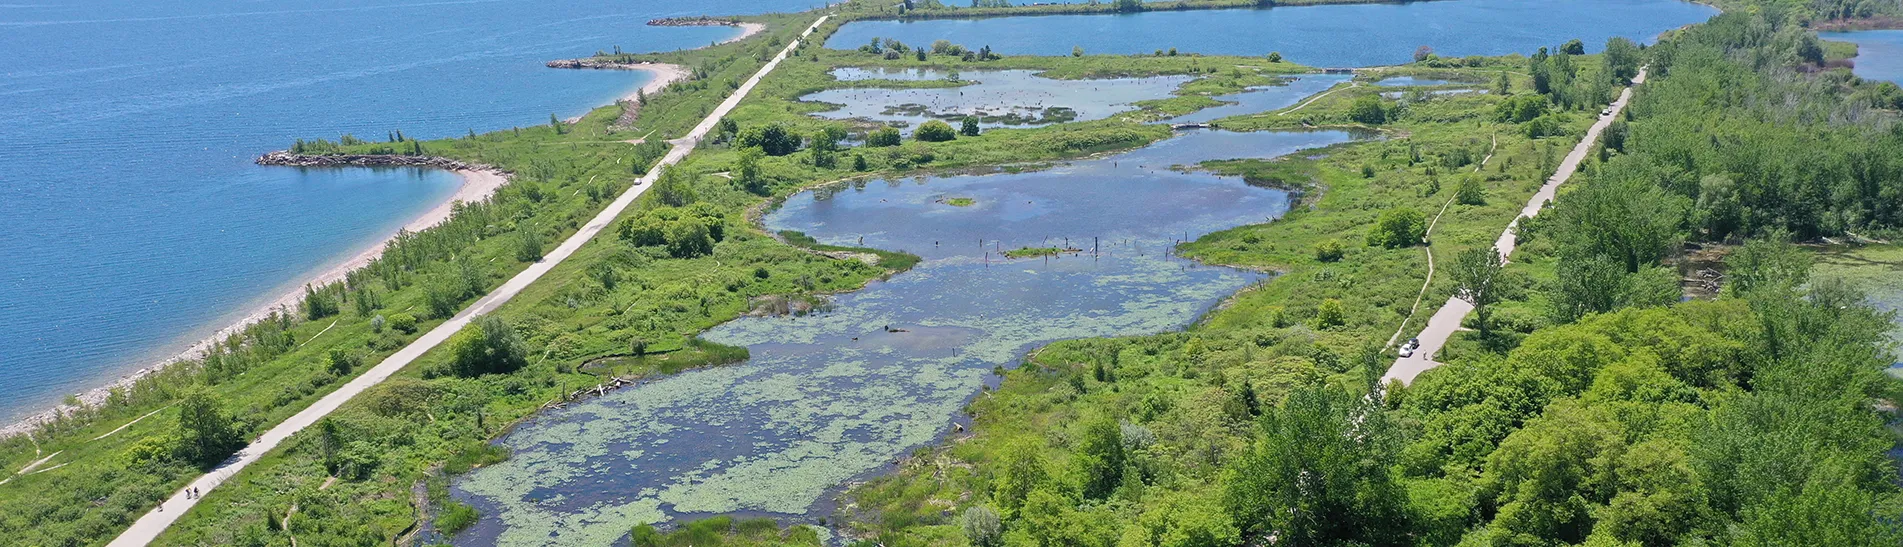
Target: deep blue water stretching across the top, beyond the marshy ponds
(1312,35)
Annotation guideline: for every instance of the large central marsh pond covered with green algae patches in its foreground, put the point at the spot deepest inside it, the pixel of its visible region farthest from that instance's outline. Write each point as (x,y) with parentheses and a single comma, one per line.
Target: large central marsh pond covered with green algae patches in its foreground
(833,397)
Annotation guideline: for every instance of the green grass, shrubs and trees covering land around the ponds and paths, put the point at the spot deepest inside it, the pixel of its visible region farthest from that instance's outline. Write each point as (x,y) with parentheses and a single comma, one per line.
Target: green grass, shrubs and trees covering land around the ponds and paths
(1588,407)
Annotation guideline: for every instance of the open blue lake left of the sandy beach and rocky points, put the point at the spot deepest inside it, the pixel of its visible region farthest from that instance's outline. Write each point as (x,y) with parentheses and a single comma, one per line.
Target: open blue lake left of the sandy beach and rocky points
(134,216)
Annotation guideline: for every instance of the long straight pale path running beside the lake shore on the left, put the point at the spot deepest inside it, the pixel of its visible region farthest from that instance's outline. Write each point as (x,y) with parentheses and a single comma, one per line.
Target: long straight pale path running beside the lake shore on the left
(168,512)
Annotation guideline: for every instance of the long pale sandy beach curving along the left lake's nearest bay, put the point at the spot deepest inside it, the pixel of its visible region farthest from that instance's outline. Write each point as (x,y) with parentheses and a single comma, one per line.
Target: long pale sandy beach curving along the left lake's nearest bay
(477,186)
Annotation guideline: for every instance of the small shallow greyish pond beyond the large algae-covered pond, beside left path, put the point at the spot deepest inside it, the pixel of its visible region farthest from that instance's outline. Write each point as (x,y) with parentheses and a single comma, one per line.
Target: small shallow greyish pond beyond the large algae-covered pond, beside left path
(998,98)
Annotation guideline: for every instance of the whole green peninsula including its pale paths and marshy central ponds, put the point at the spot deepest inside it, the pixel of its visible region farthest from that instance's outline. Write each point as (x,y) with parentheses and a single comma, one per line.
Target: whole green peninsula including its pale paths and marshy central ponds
(1653,363)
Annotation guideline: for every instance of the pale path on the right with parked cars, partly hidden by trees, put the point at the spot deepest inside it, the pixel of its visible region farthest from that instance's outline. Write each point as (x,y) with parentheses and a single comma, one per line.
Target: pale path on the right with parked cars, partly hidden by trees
(1447,321)
